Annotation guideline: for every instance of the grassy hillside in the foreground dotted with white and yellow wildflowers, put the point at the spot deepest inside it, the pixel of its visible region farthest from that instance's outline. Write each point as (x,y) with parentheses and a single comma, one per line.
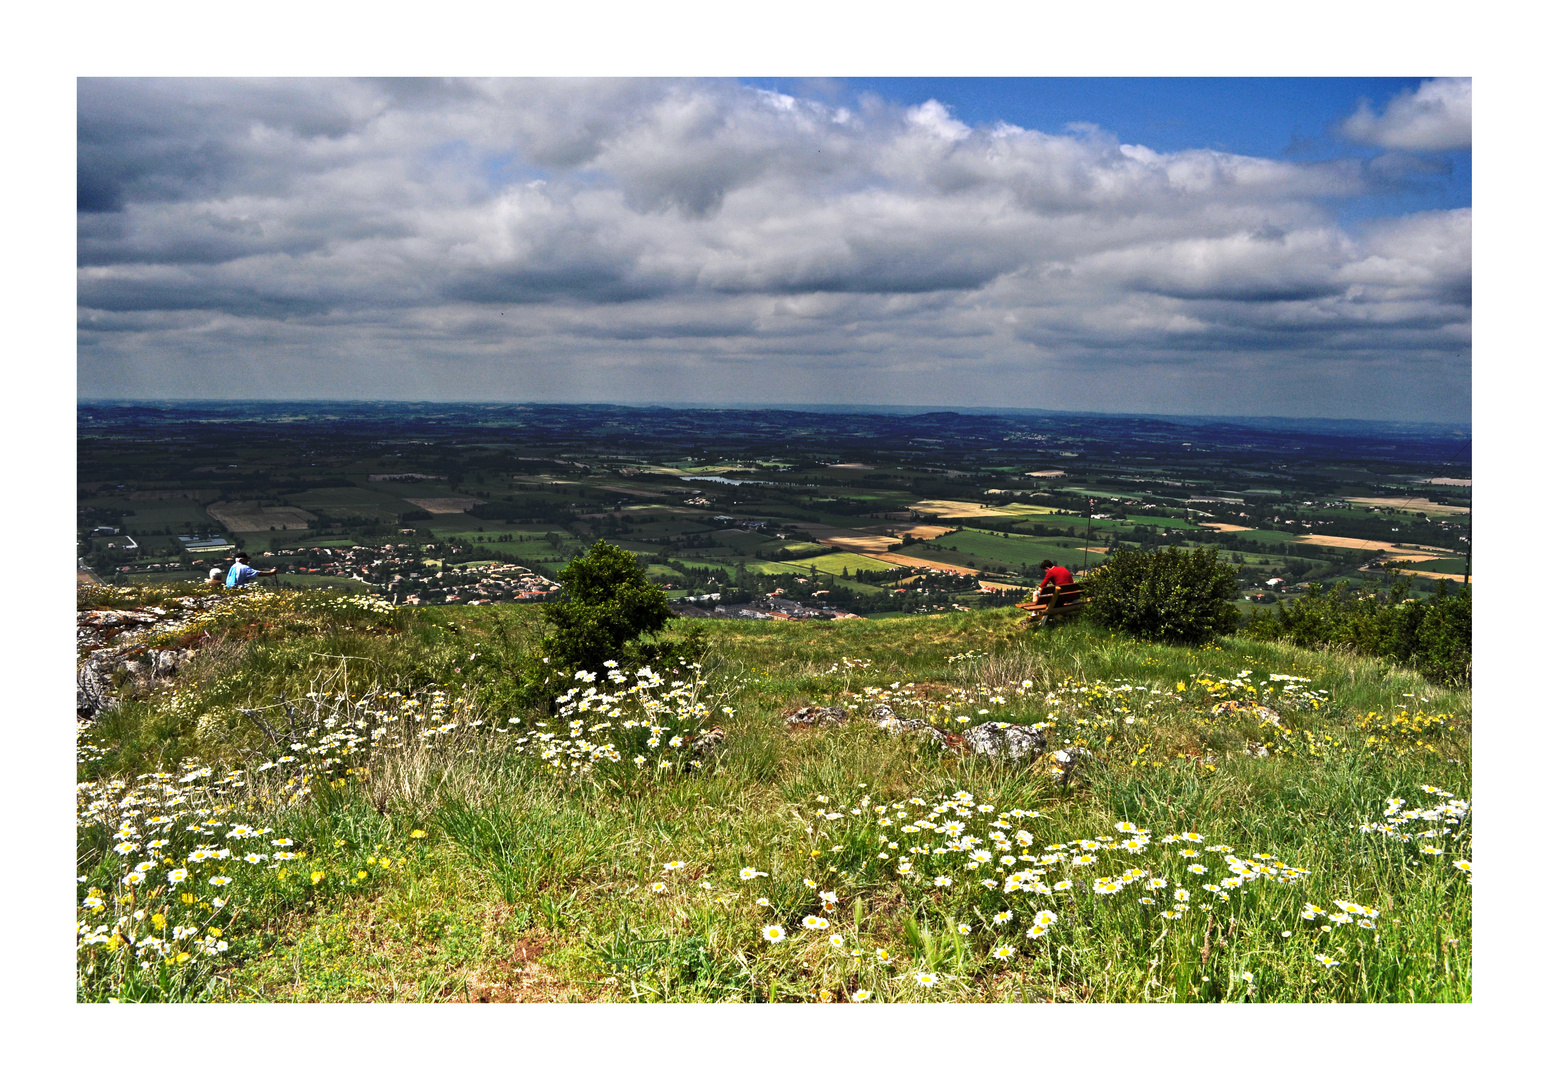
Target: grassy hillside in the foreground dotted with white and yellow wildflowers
(352,811)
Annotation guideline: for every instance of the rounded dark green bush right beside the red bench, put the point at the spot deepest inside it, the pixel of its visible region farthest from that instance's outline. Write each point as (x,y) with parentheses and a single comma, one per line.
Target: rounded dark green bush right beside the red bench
(1166,596)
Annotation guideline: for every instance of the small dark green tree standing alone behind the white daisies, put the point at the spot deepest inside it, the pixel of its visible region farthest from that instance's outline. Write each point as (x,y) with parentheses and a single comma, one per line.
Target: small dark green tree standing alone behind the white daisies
(608,602)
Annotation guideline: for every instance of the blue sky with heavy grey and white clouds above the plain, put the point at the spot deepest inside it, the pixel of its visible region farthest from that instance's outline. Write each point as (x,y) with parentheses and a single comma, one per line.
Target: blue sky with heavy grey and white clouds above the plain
(1279,247)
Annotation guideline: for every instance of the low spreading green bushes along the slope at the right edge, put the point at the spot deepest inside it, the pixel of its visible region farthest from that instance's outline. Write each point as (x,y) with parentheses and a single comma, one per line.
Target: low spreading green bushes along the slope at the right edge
(1434,636)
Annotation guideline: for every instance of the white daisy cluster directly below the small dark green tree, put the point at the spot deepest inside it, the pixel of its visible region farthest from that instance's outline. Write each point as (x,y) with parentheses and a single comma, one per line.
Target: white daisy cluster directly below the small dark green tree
(616,717)
